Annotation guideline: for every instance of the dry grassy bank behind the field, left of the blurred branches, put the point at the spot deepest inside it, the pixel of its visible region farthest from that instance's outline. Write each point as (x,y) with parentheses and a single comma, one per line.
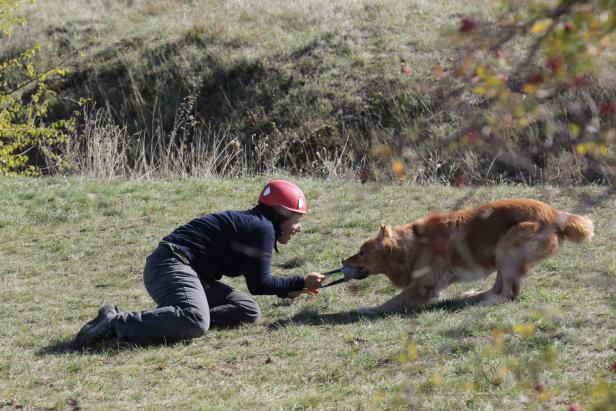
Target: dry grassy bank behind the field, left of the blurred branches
(203,88)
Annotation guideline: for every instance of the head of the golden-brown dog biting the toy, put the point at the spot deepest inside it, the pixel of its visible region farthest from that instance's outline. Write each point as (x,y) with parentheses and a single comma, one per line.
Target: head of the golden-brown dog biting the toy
(372,256)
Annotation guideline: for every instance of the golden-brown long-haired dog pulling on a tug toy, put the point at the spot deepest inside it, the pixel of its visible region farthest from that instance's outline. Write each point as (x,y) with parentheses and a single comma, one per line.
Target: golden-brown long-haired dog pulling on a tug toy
(426,256)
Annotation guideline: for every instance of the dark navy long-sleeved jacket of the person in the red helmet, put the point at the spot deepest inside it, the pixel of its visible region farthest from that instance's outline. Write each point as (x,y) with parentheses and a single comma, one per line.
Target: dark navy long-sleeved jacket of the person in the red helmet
(234,243)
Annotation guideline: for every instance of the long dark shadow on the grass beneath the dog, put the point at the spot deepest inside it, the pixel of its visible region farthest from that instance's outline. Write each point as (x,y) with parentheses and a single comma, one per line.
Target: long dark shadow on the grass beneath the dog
(313,317)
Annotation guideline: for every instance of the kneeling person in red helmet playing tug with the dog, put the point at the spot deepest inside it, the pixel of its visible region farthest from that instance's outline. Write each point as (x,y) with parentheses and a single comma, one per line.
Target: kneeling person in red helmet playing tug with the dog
(182,275)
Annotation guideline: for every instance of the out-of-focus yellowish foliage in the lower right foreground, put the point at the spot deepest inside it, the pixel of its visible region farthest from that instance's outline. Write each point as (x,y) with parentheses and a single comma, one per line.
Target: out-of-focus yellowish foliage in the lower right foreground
(507,369)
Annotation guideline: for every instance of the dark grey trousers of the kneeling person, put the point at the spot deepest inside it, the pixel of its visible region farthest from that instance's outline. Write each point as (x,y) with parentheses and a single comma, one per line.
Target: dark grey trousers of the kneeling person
(187,308)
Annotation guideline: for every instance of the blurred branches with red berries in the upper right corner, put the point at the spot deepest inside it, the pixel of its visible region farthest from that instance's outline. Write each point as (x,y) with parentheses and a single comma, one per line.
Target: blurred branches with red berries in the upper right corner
(536,81)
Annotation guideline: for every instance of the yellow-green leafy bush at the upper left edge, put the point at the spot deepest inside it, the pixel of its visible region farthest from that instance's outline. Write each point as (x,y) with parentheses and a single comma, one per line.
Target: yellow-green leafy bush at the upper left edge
(24,103)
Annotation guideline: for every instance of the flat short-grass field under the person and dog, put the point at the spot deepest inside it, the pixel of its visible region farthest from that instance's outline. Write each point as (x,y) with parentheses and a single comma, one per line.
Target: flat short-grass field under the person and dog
(68,245)
